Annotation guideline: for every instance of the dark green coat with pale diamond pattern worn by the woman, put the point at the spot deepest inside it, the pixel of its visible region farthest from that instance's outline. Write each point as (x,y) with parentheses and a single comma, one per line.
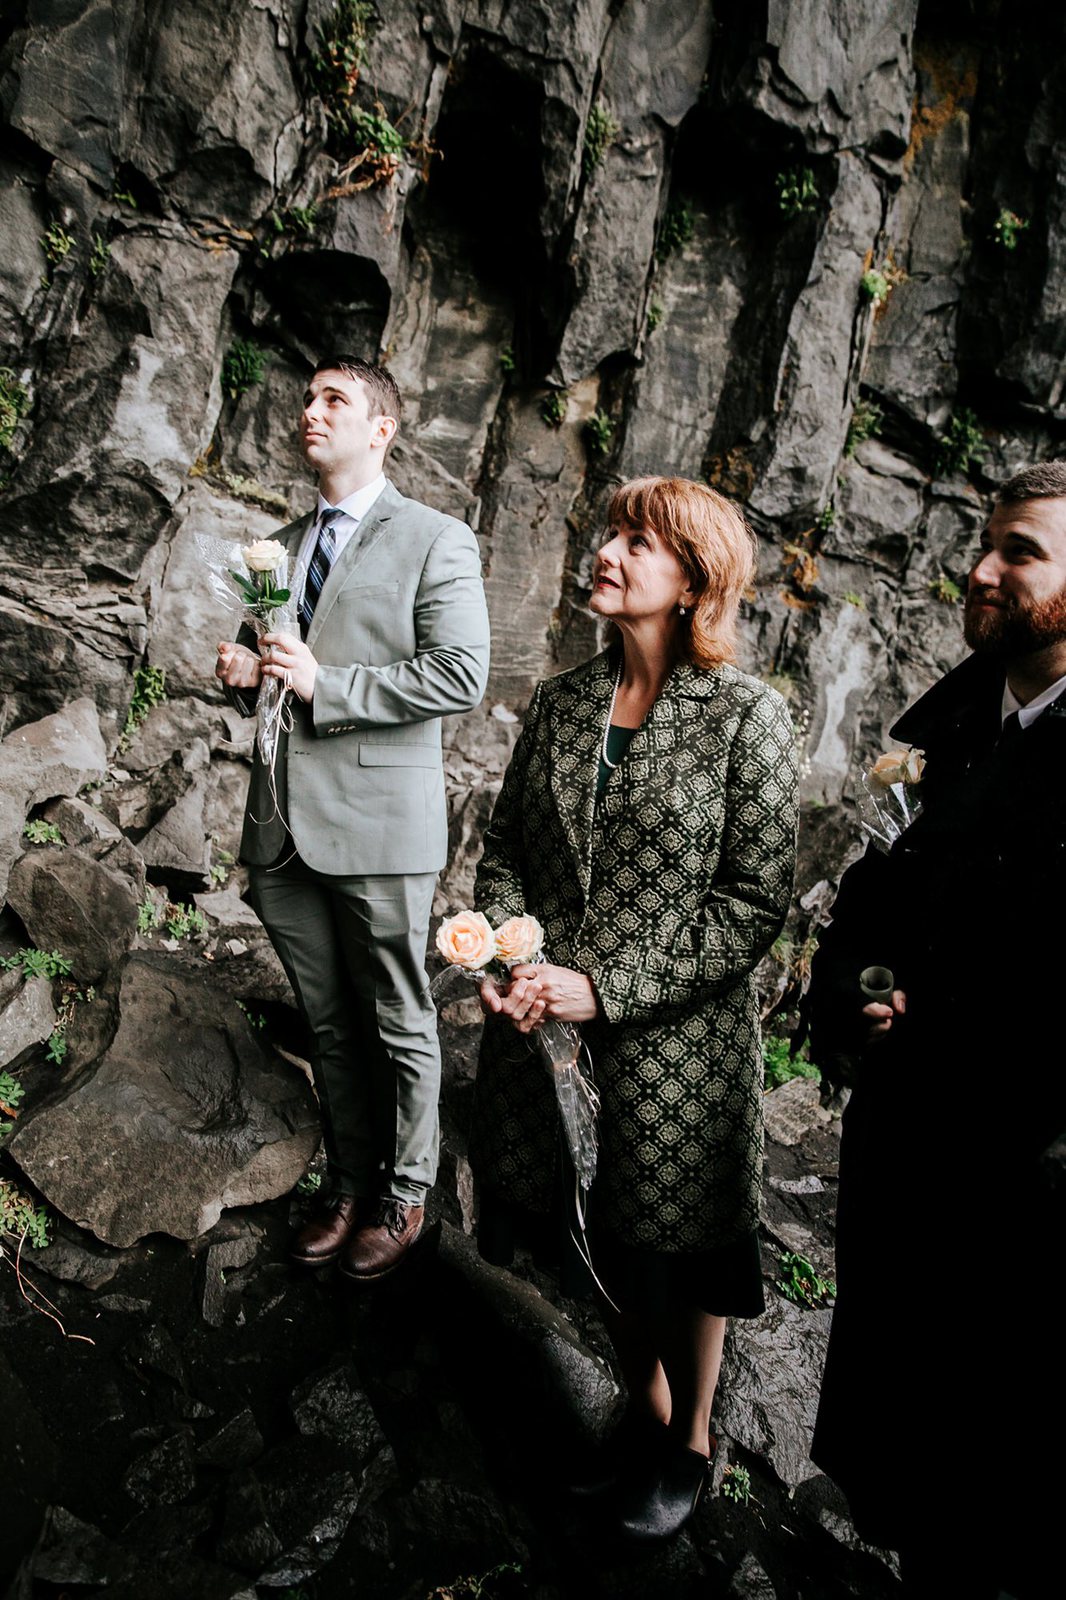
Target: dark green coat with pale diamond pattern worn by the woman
(667,894)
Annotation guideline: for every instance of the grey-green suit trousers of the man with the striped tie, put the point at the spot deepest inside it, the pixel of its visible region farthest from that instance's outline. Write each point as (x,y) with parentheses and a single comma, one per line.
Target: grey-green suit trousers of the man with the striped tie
(355,951)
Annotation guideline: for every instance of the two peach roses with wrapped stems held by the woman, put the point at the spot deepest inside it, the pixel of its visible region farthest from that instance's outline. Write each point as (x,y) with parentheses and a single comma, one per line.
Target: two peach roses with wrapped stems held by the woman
(475,950)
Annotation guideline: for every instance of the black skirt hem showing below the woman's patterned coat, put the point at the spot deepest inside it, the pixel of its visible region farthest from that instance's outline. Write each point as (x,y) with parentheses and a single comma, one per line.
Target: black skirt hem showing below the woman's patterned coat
(726,1281)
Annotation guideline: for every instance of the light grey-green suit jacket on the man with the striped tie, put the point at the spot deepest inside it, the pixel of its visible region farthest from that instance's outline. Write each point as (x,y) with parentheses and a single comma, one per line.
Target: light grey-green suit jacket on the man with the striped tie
(401,634)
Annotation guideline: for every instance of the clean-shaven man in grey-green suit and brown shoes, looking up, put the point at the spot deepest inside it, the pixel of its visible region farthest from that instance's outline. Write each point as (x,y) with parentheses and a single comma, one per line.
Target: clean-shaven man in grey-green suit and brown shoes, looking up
(347,849)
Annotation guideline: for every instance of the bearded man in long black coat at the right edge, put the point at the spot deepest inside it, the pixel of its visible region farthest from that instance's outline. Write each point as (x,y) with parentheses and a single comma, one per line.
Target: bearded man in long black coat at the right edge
(942,1388)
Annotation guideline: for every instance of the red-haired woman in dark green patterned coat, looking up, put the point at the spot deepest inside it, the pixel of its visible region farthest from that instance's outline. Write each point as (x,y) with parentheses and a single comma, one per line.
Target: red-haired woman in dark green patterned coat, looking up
(647,820)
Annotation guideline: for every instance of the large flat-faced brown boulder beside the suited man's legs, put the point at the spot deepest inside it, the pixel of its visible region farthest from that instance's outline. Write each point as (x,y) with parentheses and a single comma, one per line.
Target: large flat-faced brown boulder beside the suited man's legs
(183,1116)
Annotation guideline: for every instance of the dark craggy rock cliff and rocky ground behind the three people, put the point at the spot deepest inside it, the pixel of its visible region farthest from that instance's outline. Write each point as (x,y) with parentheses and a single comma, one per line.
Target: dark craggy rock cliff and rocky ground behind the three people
(811,252)
